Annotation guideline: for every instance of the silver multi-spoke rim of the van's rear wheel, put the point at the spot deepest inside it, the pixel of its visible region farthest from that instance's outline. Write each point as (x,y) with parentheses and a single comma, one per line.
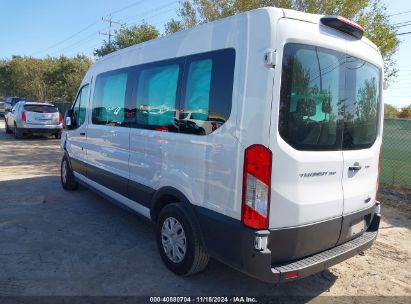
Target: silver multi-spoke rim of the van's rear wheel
(173,239)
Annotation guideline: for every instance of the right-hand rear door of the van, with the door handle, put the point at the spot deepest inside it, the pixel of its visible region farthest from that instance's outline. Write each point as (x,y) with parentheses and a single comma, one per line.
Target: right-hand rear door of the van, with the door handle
(361,137)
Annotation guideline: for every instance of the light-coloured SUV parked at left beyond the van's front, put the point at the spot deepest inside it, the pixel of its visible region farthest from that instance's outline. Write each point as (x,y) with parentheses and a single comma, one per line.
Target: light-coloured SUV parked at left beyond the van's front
(33,118)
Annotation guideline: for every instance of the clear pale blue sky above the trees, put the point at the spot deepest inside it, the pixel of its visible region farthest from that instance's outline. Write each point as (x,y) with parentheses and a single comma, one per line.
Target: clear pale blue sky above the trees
(49,27)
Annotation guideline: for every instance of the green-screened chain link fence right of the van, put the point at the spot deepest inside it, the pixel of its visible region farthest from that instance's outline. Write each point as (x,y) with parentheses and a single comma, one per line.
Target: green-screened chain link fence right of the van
(396,153)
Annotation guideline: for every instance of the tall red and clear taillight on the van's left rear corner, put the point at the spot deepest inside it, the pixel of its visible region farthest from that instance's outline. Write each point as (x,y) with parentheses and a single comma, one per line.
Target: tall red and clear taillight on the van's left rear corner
(256,187)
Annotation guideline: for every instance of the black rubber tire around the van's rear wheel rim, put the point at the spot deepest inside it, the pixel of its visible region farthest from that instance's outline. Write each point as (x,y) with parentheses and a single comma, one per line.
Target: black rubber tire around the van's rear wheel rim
(196,257)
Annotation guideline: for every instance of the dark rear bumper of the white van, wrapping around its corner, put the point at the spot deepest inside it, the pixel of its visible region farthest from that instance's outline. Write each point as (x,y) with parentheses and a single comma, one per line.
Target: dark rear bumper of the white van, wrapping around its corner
(234,244)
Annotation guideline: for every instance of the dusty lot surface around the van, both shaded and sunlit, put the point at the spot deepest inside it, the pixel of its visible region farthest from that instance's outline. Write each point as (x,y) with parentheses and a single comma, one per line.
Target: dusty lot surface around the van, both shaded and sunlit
(54,242)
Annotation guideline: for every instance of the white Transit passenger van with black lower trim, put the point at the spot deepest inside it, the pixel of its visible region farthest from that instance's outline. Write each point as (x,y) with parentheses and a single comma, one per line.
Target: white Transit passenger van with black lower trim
(283,186)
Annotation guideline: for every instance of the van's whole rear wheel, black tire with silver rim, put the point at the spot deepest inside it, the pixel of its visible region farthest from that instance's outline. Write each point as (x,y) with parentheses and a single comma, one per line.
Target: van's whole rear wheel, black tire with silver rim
(178,240)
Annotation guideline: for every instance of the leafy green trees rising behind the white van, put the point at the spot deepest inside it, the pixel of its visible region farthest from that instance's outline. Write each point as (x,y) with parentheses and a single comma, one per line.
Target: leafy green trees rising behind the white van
(58,78)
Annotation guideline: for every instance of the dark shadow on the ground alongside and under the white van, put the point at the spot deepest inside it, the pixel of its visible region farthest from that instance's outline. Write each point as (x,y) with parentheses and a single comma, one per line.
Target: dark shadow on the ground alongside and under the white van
(55,242)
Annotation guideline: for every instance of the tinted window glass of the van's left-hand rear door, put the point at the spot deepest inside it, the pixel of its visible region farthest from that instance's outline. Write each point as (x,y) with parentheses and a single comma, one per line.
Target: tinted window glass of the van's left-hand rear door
(312,83)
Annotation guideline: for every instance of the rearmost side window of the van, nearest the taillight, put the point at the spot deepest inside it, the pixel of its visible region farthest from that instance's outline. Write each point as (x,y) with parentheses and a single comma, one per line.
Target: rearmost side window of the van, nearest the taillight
(208,92)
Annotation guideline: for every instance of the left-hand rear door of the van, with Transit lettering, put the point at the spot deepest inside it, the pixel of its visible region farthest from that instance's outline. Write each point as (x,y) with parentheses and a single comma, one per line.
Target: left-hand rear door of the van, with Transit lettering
(306,126)
